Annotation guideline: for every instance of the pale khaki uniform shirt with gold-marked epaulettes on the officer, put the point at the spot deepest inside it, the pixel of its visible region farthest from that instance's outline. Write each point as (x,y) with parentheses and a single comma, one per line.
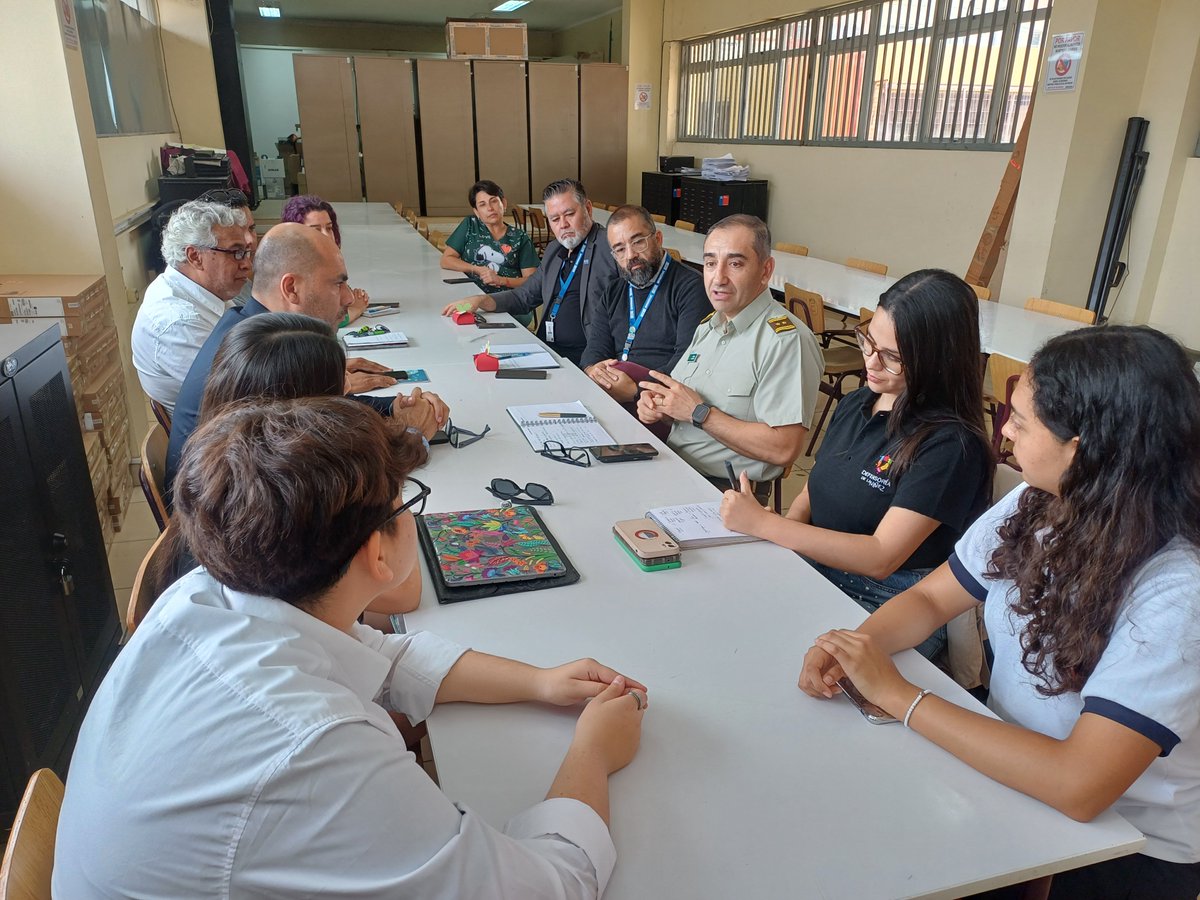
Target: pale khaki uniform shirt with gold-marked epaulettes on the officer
(763,367)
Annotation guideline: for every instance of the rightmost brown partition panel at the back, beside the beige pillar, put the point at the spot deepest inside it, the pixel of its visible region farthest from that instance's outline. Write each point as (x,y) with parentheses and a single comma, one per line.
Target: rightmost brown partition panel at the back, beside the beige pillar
(604,122)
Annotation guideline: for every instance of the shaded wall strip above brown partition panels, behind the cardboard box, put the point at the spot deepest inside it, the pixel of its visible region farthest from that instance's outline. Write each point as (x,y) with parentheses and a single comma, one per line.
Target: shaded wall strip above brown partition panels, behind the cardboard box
(361,37)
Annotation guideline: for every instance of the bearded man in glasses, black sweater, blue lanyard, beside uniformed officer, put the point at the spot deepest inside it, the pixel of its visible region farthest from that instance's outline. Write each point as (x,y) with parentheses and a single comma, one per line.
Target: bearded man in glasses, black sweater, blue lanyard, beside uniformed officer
(652,311)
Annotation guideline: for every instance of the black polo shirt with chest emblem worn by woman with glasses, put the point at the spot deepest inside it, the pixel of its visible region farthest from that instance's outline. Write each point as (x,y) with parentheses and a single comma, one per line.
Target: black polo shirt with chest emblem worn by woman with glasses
(853,485)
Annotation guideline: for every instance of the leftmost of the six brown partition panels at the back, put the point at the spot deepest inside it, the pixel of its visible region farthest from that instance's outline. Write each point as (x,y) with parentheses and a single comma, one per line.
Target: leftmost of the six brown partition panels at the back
(328,121)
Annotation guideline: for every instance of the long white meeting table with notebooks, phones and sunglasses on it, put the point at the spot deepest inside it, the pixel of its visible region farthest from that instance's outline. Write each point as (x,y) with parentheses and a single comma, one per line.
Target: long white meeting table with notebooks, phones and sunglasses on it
(743,785)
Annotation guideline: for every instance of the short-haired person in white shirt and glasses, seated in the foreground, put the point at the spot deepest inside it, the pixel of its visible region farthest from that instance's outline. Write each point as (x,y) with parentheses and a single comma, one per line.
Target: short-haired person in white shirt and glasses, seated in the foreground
(241,746)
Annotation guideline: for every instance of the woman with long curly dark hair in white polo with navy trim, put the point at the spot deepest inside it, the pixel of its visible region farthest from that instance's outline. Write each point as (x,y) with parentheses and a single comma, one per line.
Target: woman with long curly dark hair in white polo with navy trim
(1090,578)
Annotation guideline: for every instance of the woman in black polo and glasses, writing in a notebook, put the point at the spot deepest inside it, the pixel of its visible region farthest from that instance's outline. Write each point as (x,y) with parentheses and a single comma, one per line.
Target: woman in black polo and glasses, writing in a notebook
(905,465)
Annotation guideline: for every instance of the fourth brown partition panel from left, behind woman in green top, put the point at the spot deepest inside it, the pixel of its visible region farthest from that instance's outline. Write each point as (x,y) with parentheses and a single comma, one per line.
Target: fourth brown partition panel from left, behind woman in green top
(502,125)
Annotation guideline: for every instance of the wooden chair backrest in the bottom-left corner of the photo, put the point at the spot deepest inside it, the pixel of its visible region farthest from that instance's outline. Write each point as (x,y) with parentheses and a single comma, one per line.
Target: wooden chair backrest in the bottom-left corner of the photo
(29,856)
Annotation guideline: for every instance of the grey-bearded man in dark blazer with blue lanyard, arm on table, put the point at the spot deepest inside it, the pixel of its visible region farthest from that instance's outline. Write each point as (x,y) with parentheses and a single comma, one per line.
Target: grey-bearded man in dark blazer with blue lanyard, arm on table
(573,281)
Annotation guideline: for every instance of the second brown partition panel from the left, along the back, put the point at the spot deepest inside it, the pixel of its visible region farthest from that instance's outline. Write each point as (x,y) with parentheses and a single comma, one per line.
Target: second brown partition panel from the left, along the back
(389,129)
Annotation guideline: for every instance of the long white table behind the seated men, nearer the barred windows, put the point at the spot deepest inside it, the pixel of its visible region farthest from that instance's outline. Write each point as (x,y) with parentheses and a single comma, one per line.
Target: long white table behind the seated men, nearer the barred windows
(1007,331)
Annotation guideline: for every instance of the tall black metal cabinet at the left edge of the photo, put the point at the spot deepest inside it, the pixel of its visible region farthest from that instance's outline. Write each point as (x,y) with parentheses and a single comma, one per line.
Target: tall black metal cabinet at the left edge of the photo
(58,616)
